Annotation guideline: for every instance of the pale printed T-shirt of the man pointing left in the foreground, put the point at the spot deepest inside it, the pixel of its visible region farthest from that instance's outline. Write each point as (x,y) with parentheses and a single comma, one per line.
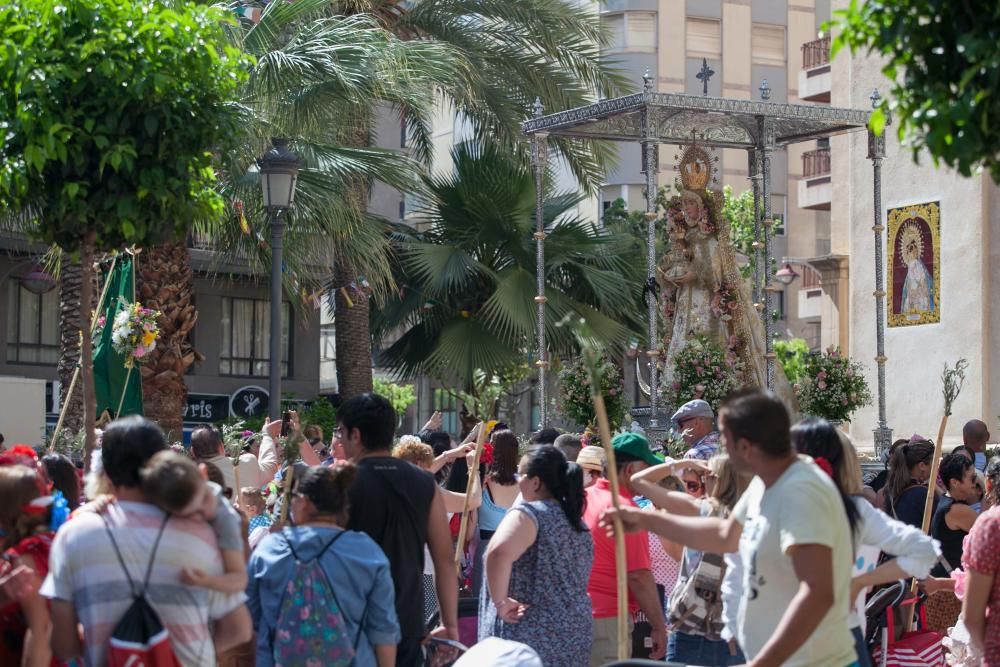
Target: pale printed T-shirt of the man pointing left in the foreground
(802,507)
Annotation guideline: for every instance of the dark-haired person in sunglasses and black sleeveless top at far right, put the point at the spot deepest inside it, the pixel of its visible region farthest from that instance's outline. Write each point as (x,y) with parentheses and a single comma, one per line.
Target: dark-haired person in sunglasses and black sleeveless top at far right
(953,518)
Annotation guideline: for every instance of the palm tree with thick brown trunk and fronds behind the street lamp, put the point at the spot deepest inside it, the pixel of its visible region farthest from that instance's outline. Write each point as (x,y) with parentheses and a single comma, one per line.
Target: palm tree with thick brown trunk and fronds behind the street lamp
(316,74)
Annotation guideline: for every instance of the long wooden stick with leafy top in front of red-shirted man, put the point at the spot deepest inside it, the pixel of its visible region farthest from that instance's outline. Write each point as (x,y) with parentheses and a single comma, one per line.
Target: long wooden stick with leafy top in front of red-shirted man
(591,355)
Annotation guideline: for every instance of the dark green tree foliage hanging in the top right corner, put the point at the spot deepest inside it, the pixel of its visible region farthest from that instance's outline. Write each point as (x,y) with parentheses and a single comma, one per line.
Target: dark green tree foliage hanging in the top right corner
(943,59)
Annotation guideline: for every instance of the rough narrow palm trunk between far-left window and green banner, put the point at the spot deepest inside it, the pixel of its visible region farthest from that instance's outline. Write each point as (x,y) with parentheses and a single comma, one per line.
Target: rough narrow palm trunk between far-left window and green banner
(70,325)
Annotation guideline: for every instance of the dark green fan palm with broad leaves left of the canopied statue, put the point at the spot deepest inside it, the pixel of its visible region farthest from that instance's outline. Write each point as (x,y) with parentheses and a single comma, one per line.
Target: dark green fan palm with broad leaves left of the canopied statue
(467,284)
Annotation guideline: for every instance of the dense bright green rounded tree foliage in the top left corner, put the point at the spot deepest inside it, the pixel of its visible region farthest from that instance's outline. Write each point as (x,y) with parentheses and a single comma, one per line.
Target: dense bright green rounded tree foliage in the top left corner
(110,112)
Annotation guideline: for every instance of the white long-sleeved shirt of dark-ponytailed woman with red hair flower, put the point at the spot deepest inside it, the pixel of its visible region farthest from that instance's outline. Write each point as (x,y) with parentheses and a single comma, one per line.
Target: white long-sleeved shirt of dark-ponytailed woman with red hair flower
(916,553)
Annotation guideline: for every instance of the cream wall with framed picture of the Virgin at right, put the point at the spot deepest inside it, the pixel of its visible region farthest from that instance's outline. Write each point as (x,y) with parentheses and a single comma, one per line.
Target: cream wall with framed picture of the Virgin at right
(940,229)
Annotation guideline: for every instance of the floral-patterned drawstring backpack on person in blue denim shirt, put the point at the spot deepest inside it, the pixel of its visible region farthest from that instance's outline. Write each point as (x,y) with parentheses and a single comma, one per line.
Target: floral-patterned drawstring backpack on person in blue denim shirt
(310,630)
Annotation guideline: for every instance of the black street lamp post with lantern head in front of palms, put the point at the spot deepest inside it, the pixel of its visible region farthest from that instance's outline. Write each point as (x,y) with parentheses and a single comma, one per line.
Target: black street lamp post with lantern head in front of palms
(279,170)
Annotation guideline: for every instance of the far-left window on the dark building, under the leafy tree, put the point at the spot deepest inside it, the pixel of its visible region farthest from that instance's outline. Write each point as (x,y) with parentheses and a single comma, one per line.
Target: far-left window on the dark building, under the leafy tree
(32,325)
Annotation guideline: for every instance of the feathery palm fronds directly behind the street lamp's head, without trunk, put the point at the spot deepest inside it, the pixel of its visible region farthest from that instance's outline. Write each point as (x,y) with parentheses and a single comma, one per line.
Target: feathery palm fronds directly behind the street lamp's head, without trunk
(316,76)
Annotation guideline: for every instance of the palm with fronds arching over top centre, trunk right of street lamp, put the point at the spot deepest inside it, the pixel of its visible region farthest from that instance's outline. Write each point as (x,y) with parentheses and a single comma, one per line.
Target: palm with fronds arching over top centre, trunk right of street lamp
(514,51)
